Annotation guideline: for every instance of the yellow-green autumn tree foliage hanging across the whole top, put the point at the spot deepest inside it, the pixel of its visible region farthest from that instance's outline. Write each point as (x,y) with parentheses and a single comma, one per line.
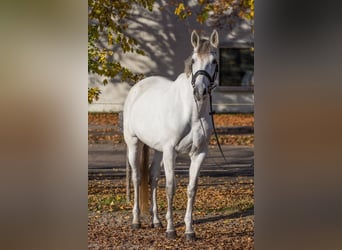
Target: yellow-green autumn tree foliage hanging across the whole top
(108,25)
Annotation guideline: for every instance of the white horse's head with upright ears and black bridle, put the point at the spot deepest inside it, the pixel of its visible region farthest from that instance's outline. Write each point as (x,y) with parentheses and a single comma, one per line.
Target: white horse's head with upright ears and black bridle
(204,66)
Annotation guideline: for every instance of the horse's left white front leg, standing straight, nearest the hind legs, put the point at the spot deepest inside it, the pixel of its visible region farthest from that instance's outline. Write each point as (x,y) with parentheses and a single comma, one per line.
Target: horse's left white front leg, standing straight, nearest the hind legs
(169,156)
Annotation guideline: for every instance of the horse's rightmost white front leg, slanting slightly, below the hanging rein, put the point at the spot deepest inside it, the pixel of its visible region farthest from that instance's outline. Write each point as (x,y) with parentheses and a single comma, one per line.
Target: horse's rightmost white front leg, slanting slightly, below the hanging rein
(196,162)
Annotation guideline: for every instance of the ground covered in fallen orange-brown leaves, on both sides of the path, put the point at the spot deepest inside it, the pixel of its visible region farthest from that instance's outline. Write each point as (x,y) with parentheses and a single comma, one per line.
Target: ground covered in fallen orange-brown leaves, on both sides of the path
(223,211)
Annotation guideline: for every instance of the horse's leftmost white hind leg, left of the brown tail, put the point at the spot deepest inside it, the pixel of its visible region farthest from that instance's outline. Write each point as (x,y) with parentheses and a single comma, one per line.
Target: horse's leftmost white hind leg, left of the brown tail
(134,148)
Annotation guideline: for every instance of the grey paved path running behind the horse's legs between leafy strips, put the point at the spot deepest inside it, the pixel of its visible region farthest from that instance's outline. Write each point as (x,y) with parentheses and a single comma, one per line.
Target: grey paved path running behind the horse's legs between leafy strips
(109,161)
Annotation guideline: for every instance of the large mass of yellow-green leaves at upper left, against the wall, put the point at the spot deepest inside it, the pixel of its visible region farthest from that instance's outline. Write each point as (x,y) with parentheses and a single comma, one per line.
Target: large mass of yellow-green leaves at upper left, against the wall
(107,27)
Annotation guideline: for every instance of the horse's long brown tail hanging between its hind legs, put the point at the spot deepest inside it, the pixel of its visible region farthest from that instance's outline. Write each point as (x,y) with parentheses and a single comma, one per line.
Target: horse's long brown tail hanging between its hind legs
(144,173)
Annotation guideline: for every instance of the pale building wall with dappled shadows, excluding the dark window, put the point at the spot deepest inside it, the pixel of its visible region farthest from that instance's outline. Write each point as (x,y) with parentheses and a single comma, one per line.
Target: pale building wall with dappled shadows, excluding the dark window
(166,41)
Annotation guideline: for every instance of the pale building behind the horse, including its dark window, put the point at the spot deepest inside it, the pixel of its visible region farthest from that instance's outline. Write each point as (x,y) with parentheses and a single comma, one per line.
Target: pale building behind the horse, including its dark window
(166,42)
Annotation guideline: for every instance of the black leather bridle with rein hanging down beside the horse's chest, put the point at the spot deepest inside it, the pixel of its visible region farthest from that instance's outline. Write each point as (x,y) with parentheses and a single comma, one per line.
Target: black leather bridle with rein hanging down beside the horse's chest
(211,87)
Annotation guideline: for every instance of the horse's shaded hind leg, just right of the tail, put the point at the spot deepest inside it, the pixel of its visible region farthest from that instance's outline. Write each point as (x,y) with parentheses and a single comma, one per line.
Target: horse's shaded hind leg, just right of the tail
(154,178)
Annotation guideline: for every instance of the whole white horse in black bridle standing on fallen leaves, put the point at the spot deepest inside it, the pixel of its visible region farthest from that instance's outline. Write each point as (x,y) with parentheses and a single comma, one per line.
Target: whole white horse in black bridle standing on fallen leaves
(170,117)
